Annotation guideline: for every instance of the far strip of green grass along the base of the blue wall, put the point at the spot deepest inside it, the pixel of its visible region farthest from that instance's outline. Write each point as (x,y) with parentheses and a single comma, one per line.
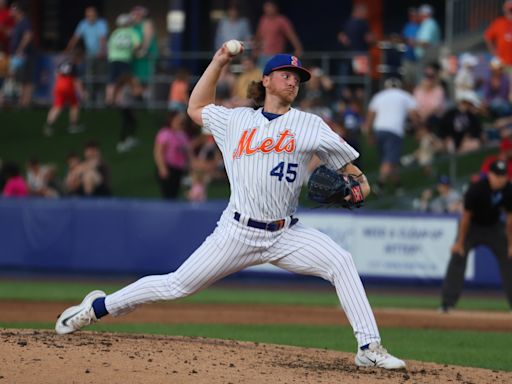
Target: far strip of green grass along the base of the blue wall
(73,291)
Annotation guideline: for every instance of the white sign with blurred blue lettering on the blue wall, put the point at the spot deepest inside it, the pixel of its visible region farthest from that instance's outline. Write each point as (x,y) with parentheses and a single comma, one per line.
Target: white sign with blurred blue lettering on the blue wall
(392,246)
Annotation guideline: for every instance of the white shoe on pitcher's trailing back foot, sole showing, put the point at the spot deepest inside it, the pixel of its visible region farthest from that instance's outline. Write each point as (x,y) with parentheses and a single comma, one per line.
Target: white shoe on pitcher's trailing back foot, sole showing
(78,316)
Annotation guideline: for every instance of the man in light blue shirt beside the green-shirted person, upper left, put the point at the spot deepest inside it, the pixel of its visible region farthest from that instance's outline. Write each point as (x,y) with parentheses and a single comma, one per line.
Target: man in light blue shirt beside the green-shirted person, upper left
(93,31)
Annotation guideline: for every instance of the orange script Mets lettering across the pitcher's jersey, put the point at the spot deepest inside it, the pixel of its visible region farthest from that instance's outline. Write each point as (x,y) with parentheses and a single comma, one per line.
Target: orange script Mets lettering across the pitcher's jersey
(284,143)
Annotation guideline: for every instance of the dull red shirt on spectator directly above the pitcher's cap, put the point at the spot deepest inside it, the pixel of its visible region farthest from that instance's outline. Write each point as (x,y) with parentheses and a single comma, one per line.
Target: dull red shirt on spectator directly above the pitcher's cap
(273,32)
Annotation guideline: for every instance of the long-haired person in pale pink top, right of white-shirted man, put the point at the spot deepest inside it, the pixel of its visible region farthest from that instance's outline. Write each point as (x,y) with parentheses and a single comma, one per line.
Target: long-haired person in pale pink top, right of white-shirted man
(430,97)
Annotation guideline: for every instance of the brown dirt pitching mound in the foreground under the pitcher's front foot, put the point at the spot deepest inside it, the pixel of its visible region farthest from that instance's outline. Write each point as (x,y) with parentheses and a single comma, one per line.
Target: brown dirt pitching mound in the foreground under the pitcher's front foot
(28,356)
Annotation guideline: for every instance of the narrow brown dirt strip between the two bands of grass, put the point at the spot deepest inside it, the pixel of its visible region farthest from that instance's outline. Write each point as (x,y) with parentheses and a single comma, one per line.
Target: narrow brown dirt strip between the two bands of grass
(182,313)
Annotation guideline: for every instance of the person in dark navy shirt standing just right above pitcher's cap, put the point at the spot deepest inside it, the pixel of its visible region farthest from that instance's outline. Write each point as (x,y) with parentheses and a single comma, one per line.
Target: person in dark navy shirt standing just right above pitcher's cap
(355,39)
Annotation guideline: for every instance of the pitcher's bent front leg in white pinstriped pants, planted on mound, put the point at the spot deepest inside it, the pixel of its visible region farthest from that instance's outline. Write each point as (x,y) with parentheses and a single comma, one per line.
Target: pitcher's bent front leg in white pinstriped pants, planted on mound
(308,251)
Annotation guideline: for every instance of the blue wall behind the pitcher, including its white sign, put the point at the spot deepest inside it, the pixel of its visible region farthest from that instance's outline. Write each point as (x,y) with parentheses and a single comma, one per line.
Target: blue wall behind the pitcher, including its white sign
(120,237)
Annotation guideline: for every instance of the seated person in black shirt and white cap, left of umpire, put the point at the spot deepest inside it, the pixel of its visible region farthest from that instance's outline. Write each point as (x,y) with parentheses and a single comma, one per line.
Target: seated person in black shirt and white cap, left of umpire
(460,127)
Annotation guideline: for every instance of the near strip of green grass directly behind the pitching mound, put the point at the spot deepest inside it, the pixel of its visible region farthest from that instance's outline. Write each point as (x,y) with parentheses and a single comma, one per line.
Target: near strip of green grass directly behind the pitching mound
(467,348)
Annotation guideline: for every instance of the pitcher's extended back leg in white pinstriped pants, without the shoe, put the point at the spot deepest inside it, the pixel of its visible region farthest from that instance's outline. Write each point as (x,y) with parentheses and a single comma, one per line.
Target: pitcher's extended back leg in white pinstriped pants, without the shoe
(216,258)
